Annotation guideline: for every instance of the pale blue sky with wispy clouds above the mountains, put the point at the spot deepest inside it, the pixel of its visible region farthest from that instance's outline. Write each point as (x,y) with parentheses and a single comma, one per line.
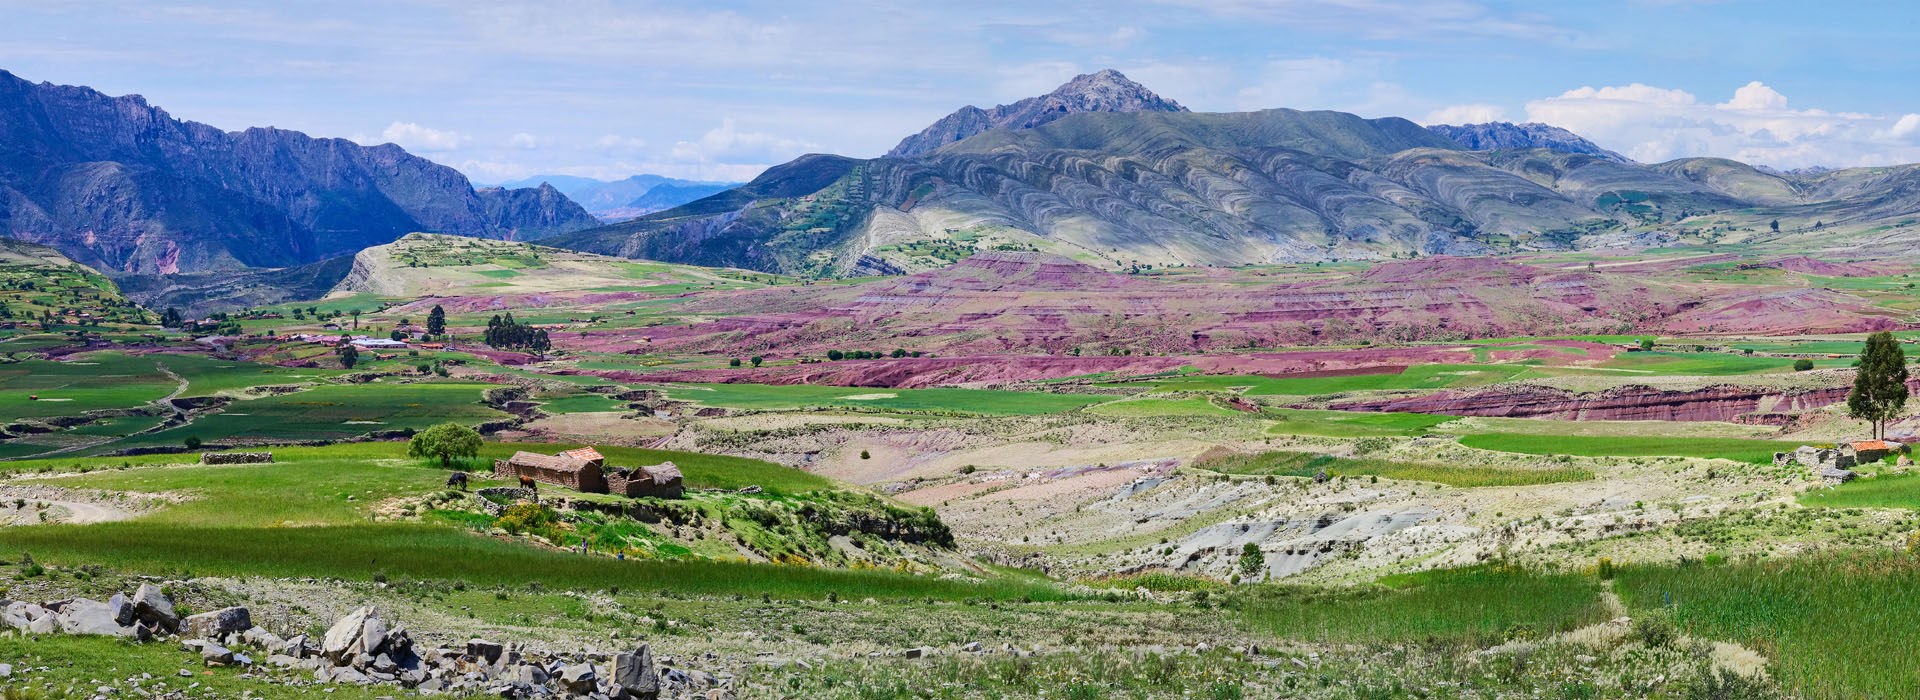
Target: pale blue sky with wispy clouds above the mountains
(725,89)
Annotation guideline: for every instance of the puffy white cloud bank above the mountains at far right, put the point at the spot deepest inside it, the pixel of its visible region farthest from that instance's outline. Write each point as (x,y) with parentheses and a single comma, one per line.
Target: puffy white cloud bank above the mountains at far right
(1756,126)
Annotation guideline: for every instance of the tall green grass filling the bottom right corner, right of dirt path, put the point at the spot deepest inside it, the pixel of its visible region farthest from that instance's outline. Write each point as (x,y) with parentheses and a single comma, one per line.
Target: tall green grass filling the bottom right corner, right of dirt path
(1835,626)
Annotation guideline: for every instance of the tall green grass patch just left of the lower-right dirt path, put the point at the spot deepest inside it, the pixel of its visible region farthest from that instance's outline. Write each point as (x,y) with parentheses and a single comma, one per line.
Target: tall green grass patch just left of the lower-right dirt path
(1477,605)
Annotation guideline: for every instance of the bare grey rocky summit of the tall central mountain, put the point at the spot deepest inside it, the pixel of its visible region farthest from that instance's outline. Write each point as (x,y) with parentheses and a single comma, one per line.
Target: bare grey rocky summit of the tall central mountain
(1107,91)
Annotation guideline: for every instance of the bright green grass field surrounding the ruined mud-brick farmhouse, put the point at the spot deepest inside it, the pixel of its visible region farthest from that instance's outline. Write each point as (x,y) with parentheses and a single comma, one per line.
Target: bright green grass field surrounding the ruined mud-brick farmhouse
(308,515)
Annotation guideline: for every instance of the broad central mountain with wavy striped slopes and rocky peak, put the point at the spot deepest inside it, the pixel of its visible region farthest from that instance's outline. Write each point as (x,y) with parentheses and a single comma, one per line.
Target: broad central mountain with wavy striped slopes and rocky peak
(1109,174)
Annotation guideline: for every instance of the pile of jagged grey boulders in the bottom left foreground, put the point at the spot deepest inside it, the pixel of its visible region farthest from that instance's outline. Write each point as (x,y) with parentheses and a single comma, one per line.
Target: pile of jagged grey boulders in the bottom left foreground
(364,649)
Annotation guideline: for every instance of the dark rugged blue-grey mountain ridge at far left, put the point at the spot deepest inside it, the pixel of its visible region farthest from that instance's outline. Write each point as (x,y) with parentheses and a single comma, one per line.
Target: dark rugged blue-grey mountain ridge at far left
(122,185)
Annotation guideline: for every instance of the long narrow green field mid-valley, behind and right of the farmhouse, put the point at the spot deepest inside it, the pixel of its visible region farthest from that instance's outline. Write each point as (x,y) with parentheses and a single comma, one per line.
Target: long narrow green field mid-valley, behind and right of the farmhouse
(961,402)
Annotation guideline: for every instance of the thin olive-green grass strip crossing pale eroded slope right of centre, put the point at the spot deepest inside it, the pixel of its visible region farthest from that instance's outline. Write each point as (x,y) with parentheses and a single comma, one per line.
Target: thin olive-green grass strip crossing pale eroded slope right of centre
(1305,465)
